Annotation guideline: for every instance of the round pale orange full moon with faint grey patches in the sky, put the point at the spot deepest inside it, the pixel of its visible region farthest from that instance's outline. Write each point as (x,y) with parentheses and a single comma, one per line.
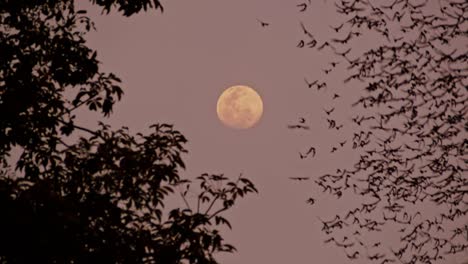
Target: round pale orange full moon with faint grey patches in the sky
(239,107)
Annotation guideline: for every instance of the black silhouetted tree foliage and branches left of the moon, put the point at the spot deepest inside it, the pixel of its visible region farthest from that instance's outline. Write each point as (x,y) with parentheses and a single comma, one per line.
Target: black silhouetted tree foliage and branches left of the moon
(98,198)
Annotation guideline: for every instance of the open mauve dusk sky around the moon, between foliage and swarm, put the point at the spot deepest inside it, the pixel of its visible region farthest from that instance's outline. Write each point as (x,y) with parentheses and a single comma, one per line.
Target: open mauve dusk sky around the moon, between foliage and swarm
(175,65)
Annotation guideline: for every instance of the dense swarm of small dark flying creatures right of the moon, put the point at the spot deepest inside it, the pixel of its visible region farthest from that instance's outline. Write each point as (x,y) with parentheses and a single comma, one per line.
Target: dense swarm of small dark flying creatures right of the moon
(412,130)
